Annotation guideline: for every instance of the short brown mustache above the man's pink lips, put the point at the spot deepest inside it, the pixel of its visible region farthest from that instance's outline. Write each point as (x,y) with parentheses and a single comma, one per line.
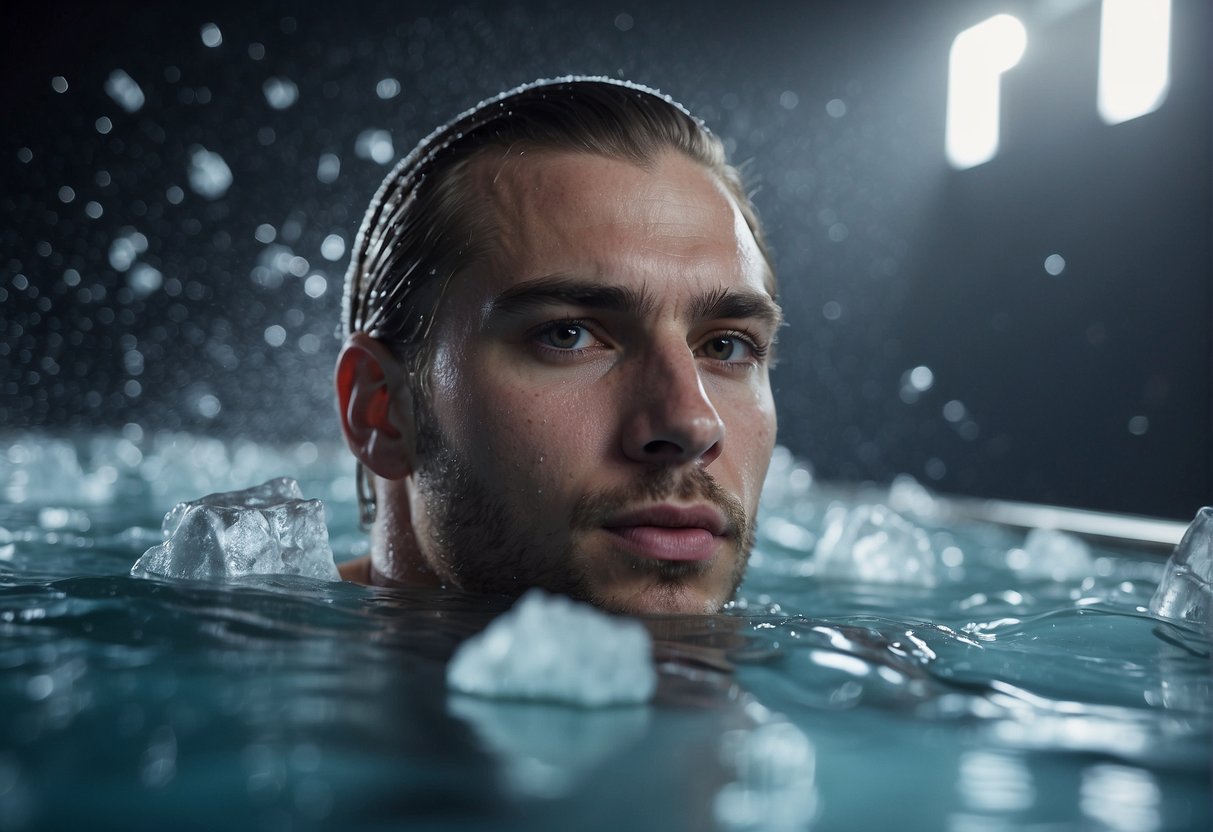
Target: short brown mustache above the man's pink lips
(660,486)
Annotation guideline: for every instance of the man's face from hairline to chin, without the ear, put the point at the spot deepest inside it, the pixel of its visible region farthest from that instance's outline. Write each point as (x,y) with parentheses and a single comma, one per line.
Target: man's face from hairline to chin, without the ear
(601,419)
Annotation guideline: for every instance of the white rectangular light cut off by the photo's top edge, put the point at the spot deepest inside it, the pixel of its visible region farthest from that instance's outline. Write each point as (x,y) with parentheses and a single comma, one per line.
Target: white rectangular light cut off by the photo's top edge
(1135,58)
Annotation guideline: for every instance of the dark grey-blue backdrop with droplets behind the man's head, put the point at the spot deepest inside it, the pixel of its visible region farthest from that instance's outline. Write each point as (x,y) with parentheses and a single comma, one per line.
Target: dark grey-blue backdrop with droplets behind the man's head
(1091,389)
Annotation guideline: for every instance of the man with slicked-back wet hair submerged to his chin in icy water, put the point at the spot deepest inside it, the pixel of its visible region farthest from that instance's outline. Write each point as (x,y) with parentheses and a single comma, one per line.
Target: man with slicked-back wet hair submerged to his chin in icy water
(560,316)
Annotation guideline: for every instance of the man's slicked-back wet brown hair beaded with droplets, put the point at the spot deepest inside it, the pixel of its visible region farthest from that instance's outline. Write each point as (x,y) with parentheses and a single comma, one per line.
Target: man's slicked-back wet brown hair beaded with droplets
(428,224)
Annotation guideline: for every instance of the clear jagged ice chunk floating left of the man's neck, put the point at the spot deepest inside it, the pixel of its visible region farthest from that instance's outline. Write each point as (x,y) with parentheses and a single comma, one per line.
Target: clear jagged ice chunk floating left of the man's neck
(265,531)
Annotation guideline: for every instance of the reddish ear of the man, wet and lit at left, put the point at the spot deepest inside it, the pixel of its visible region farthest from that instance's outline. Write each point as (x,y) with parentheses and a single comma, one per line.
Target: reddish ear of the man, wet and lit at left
(375,406)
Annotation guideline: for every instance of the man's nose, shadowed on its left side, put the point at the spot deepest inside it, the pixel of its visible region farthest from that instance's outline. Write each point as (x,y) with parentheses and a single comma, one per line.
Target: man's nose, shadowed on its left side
(670,418)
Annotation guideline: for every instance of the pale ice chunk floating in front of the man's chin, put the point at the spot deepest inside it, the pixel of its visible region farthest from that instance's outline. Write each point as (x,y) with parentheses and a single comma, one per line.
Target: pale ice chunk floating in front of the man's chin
(554,649)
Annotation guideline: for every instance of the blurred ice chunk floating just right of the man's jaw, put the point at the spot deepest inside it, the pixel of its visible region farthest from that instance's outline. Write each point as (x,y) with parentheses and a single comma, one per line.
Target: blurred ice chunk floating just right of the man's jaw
(875,544)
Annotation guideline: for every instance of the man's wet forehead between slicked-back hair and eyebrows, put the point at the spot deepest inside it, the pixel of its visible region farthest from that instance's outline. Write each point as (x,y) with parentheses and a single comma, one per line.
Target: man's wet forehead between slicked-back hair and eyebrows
(667,225)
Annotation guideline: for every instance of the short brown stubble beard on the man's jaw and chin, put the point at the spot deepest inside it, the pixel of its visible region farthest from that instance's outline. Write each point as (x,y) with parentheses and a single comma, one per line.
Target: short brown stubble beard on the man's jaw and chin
(477,544)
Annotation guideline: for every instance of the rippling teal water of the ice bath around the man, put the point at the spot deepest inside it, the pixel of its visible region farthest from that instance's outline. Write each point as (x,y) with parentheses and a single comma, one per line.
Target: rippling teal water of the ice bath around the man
(1012,696)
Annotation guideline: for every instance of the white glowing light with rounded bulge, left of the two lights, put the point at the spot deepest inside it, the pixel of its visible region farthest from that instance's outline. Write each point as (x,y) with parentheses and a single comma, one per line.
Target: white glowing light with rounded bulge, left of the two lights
(979,58)
